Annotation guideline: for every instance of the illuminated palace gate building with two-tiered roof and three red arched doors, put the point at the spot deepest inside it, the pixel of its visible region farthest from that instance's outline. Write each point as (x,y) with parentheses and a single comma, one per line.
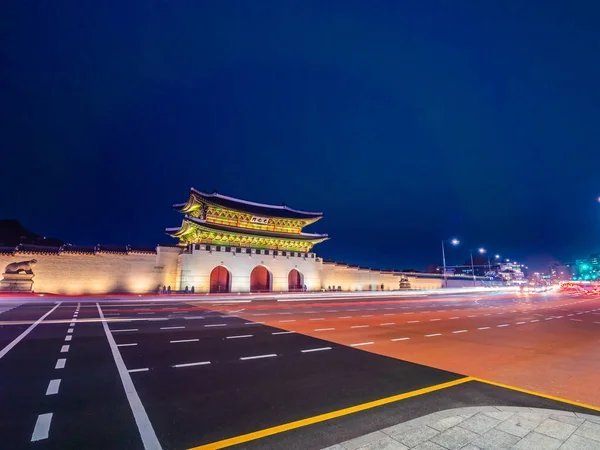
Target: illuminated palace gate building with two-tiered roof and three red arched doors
(233,245)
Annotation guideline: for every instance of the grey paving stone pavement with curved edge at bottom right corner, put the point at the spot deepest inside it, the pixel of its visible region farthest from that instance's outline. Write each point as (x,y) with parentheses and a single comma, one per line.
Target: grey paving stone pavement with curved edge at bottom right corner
(486,428)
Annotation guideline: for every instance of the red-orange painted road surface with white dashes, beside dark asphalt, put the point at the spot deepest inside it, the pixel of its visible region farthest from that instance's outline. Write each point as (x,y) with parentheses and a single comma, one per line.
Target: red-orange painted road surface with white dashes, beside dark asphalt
(557,356)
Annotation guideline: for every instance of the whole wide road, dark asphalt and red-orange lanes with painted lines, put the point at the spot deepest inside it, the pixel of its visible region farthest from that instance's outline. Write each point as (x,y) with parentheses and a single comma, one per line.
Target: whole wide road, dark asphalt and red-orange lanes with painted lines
(168,373)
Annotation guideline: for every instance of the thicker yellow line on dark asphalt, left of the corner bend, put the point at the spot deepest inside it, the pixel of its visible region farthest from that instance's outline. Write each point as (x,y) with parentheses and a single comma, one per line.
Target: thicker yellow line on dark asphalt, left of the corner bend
(327,416)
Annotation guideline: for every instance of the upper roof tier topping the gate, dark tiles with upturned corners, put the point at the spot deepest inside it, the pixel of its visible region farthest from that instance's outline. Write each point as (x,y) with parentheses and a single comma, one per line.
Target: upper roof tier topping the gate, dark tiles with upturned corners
(236,204)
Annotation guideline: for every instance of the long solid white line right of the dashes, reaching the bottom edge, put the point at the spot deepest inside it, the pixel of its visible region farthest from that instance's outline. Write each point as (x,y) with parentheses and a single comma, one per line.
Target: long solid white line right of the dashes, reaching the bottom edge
(149,438)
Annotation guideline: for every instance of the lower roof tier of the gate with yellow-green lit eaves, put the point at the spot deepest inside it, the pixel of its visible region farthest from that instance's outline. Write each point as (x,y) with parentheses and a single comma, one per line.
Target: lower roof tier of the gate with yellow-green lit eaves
(195,231)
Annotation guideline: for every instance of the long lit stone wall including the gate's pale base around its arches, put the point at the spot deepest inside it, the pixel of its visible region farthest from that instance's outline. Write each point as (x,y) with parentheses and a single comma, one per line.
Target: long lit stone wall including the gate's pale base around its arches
(103,271)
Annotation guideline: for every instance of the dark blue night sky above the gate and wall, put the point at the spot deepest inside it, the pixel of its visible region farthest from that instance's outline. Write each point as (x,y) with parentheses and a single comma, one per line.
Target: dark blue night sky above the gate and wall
(404,122)
